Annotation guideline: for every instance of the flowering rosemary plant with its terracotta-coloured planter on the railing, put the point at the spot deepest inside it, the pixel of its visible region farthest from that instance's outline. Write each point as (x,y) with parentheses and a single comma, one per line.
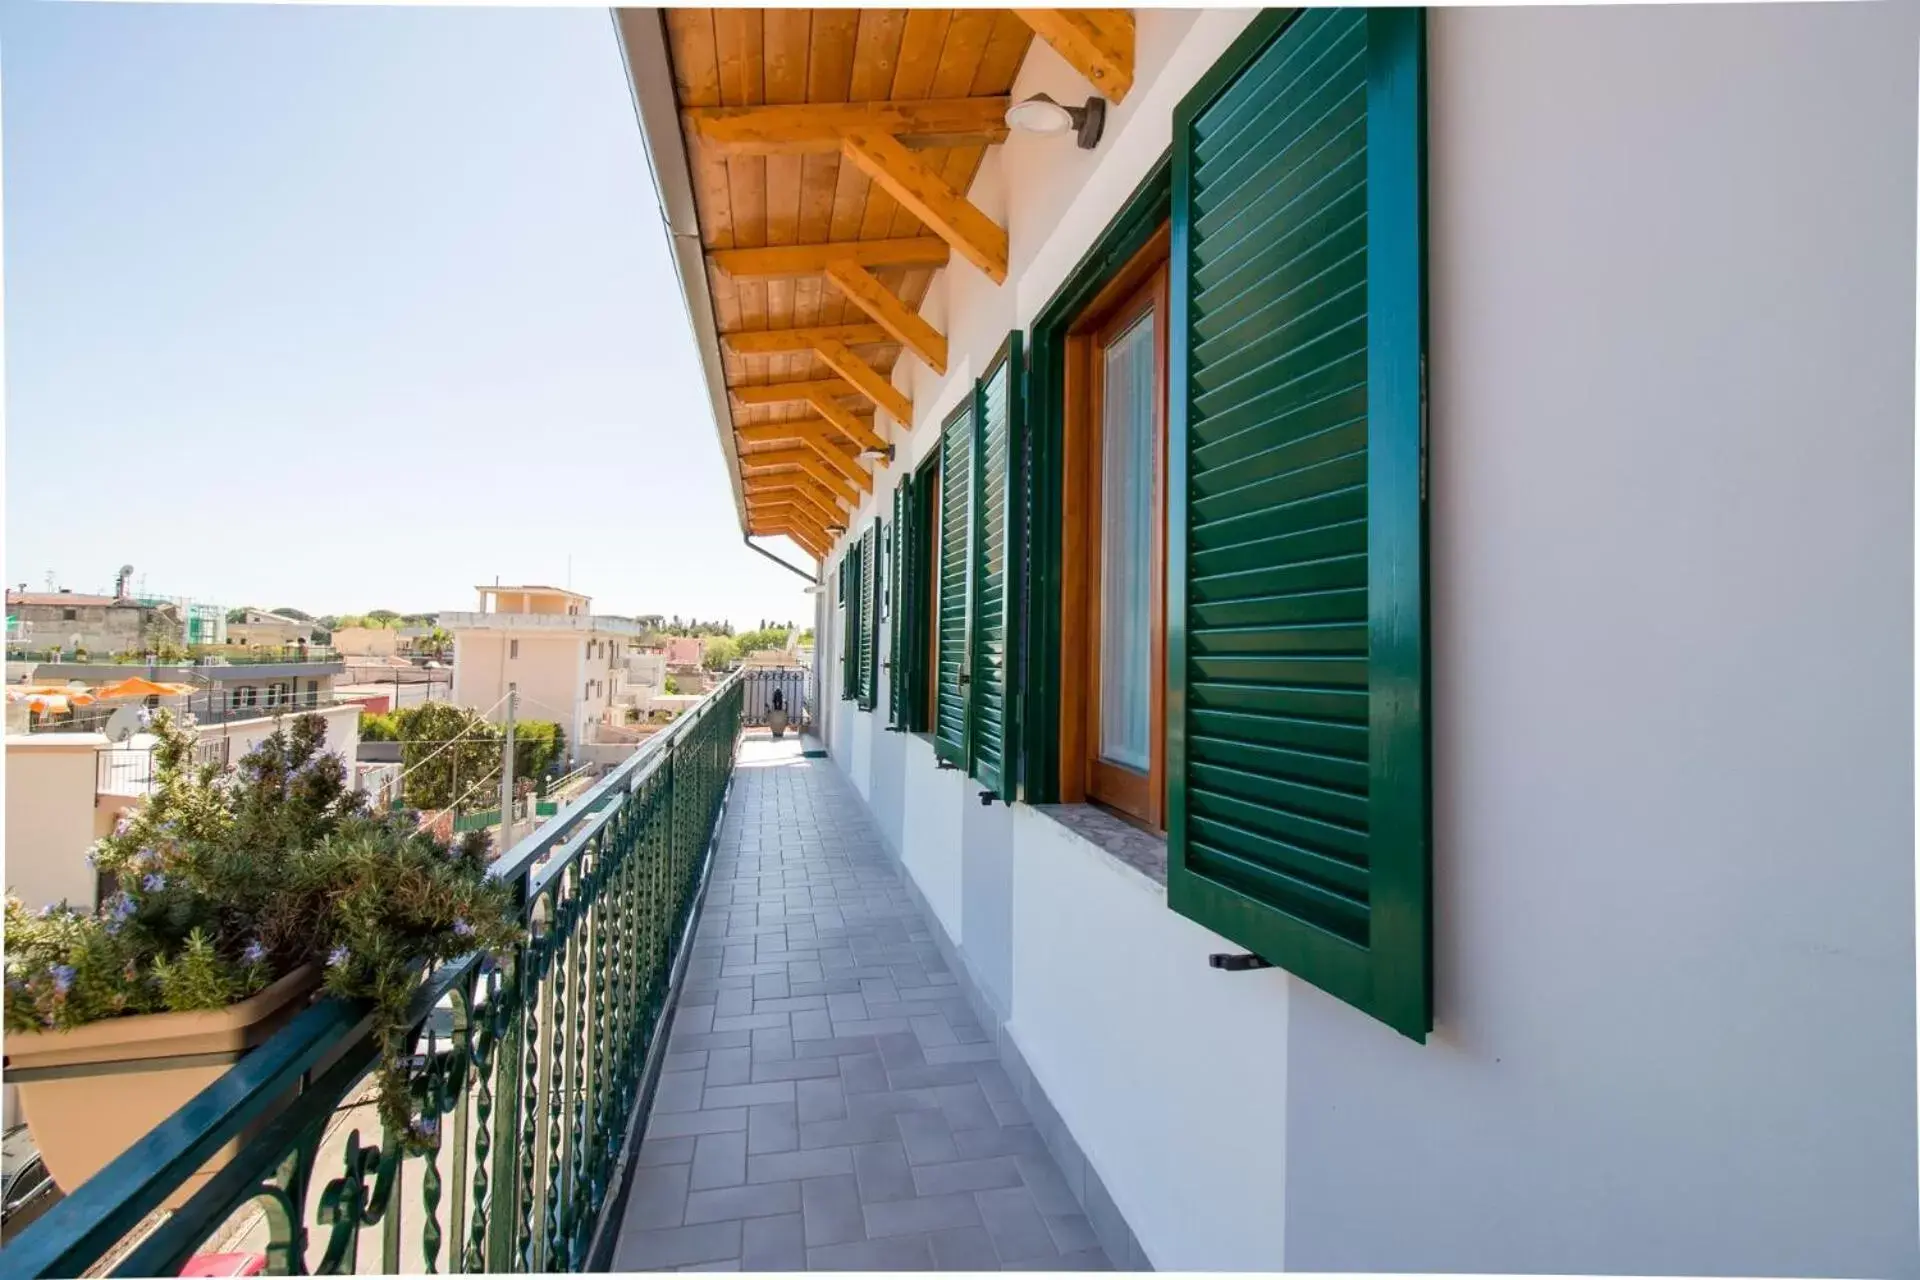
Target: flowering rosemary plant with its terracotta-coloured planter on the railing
(239,895)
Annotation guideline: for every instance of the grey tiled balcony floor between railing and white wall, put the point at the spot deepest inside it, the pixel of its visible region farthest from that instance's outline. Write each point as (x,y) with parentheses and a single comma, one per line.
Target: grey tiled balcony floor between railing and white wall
(828,1101)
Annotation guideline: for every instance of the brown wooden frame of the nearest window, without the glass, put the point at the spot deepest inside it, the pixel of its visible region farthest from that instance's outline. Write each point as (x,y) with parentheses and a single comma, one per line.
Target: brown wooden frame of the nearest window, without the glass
(1140,287)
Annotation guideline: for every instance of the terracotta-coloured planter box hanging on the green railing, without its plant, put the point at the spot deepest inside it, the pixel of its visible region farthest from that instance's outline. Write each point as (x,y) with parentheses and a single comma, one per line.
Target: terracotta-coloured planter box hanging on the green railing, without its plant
(95,1091)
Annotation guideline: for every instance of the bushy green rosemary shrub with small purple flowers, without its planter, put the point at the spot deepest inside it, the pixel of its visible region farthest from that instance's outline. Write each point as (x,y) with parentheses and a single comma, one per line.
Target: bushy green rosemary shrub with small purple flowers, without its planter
(233,878)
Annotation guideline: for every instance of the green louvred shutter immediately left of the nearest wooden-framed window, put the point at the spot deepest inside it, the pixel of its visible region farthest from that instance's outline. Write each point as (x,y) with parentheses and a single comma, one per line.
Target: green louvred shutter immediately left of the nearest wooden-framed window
(996,414)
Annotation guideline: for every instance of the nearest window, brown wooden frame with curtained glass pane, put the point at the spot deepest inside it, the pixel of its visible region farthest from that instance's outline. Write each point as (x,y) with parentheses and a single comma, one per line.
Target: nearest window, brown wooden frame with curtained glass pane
(1115,431)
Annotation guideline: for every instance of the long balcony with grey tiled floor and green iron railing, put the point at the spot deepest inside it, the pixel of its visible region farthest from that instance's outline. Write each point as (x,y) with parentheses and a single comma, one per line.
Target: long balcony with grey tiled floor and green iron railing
(732,1039)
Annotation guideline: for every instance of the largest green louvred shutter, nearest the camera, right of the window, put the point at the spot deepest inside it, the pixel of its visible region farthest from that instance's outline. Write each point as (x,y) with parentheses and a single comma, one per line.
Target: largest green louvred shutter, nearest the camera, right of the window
(1297,625)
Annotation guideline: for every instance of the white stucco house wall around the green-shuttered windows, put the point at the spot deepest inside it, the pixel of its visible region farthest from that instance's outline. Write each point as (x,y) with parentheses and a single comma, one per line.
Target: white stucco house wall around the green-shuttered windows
(1673,389)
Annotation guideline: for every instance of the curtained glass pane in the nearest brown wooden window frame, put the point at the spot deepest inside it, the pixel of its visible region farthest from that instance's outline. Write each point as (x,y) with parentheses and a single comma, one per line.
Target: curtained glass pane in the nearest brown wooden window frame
(1128,548)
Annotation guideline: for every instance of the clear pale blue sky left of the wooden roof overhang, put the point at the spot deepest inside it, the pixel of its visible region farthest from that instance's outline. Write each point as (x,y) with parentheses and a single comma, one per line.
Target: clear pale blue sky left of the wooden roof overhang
(350,308)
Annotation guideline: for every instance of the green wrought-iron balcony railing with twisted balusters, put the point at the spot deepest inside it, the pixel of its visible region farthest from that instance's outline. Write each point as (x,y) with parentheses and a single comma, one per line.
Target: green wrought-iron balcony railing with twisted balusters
(529,1074)
